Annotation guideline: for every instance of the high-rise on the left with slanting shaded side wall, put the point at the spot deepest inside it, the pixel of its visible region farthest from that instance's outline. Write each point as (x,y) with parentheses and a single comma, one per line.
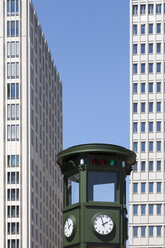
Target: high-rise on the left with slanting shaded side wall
(30,132)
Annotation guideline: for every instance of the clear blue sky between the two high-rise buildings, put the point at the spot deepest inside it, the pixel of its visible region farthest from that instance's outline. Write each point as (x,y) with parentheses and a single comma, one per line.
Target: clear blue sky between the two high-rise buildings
(89,40)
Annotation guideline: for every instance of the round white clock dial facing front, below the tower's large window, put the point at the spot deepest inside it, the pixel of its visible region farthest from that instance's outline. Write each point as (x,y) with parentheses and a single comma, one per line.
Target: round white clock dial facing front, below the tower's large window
(103,224)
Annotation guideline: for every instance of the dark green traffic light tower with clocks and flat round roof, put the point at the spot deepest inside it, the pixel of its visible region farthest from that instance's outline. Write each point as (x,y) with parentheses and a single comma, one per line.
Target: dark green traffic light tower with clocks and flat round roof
(94,213)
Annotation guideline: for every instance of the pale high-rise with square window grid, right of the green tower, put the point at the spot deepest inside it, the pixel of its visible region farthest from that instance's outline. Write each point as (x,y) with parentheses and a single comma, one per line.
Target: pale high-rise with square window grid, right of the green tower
(147,117)
